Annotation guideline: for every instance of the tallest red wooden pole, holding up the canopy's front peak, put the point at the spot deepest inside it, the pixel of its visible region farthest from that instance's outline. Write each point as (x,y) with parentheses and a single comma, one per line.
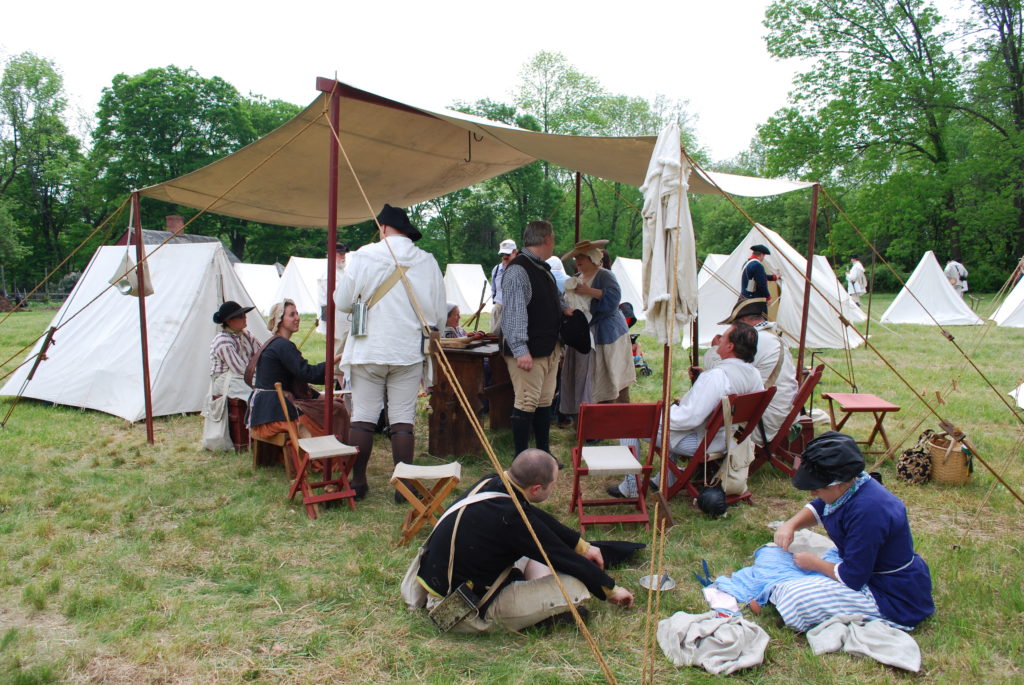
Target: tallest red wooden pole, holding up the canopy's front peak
(332,240)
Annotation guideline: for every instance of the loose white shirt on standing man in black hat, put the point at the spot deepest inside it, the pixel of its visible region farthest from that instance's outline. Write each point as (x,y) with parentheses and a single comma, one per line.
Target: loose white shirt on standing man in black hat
(394,330)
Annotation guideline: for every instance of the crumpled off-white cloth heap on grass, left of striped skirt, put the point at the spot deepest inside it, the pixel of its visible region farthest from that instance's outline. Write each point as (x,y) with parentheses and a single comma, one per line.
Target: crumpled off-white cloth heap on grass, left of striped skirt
(719,646)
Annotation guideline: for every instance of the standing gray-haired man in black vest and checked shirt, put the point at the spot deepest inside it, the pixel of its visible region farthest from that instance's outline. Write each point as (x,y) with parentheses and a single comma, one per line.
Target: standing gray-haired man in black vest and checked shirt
(531,320)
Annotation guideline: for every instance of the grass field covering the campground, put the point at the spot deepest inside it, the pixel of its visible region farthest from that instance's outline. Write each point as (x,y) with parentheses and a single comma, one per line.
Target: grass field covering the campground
(131,564)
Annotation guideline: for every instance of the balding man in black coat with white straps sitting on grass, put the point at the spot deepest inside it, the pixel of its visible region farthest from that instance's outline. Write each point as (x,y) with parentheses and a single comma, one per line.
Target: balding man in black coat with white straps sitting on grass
(493,546)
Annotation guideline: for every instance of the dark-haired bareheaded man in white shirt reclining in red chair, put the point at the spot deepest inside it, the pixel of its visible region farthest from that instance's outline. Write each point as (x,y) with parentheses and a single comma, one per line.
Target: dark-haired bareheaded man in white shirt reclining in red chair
(689,417)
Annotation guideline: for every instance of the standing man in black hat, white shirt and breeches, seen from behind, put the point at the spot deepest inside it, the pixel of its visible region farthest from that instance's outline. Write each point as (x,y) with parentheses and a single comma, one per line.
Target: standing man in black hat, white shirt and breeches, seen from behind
(389,358)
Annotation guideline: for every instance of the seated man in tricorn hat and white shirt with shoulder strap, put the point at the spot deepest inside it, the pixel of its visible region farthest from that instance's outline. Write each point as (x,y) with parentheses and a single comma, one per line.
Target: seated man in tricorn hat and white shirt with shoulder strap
(773,361)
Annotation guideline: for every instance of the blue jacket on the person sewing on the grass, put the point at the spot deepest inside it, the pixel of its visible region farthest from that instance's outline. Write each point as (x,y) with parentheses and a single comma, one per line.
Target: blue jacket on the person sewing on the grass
(873,537)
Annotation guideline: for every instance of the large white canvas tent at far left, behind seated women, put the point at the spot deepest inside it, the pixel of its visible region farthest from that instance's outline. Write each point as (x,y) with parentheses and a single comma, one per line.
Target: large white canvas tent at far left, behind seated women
(97,362)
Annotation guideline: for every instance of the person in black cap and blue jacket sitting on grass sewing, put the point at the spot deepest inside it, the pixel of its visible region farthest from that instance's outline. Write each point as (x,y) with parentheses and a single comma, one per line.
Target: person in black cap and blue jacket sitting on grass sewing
(879,576)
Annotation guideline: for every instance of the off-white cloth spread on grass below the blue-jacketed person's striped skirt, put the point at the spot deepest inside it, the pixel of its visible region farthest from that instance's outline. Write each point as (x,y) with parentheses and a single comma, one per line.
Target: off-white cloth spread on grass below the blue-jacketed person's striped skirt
(876,639)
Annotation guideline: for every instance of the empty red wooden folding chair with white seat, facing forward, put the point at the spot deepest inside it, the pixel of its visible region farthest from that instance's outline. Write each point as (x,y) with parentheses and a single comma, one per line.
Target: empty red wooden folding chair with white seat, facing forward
(602,422)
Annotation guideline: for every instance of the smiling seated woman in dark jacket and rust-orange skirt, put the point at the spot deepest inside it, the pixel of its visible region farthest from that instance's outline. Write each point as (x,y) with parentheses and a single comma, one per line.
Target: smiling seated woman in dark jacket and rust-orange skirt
(281,362)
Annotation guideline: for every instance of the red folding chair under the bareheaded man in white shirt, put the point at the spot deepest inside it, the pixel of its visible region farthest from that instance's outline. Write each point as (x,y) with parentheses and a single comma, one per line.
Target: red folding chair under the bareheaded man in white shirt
(747,411)
